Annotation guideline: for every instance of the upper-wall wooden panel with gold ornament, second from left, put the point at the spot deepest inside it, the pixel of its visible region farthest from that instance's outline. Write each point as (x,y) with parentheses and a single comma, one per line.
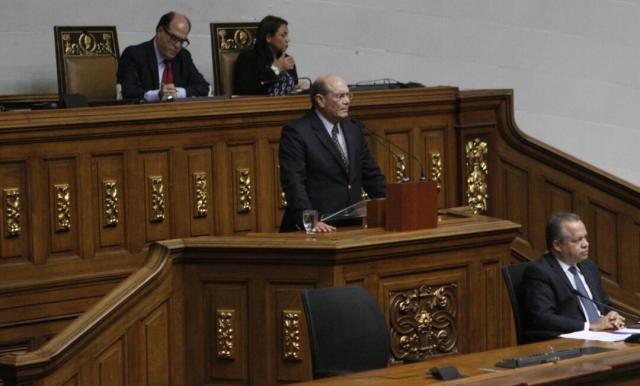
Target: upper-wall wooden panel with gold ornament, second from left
(64,232)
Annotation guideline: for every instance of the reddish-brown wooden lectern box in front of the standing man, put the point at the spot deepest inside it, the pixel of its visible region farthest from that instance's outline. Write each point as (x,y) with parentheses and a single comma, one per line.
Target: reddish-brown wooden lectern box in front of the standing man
(408,206)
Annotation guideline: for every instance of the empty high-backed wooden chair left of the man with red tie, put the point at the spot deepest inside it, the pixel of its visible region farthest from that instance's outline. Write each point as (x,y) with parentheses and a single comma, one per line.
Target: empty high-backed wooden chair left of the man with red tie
(87,61)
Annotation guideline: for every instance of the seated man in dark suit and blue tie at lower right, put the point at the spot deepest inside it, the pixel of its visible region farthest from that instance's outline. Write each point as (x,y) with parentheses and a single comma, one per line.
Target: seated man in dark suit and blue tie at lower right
(558,286)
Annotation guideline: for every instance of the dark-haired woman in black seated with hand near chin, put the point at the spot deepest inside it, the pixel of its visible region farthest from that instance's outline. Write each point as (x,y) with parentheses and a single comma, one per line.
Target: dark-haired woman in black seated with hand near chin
(267,69)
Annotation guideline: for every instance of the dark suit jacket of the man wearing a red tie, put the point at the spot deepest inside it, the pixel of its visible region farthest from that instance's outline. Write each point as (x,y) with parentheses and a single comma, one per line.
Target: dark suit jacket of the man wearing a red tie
(138,72)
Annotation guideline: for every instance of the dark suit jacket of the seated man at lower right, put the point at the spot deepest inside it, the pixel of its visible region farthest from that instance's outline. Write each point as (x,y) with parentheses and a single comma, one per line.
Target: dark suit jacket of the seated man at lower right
(549,301)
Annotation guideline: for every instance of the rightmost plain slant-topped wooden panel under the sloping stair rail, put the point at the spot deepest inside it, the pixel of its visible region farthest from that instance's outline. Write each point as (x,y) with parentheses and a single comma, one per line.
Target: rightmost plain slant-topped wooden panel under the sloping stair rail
(157,347)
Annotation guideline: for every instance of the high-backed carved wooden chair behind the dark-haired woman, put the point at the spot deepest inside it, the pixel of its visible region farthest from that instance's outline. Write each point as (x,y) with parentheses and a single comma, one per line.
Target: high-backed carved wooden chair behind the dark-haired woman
(228,40)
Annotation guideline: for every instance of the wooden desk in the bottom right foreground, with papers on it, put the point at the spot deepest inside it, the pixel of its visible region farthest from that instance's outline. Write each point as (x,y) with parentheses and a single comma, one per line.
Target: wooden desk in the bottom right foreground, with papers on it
(619,367)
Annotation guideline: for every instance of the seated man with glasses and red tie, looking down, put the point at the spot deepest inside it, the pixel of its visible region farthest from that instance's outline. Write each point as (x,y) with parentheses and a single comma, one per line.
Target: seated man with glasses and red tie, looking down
(162,68)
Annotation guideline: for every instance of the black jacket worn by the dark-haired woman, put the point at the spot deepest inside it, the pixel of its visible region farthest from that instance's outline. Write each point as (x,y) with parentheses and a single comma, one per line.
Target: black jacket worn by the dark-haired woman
(252,77)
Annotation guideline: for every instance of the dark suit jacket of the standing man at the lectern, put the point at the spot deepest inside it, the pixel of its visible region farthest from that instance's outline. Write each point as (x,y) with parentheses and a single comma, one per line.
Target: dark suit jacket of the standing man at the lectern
(313,175)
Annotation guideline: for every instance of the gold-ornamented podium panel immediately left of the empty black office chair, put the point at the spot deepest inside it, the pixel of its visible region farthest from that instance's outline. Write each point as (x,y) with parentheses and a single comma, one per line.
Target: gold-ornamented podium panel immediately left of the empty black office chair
(291,349)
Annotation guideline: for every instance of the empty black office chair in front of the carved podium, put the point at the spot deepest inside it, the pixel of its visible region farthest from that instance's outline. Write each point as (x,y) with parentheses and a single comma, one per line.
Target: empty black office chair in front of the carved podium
(347,331)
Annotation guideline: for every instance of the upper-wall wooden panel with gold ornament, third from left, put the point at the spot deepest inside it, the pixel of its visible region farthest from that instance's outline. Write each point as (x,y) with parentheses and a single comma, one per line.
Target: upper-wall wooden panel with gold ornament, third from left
(109,201)
